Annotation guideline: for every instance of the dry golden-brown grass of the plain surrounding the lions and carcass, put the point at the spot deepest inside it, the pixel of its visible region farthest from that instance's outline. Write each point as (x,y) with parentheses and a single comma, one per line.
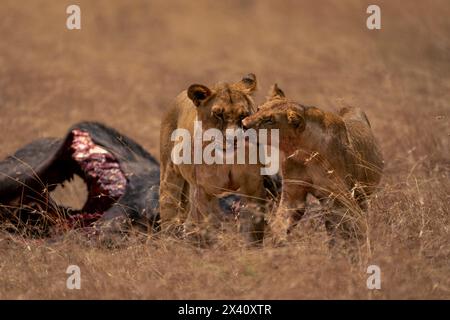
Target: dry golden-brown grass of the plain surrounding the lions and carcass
(128,62)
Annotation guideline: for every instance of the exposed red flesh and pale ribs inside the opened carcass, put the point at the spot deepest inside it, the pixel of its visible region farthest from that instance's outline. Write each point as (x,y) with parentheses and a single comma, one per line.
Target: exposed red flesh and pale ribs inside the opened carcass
(102,174)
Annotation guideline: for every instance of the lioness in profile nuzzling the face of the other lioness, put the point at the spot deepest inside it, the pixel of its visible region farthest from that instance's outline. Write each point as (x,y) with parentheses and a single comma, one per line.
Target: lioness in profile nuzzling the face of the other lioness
(332,156)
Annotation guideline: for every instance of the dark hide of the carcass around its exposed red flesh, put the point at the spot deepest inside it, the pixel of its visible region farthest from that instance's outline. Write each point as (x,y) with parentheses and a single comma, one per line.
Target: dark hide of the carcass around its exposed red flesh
(40,166)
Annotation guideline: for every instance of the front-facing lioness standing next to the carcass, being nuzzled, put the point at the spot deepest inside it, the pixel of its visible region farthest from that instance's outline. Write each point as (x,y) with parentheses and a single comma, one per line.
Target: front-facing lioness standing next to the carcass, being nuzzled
(198,186)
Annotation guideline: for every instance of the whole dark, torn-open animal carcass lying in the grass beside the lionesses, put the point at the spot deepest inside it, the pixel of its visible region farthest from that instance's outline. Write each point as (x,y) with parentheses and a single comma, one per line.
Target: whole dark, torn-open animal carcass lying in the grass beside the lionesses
(121,177)
